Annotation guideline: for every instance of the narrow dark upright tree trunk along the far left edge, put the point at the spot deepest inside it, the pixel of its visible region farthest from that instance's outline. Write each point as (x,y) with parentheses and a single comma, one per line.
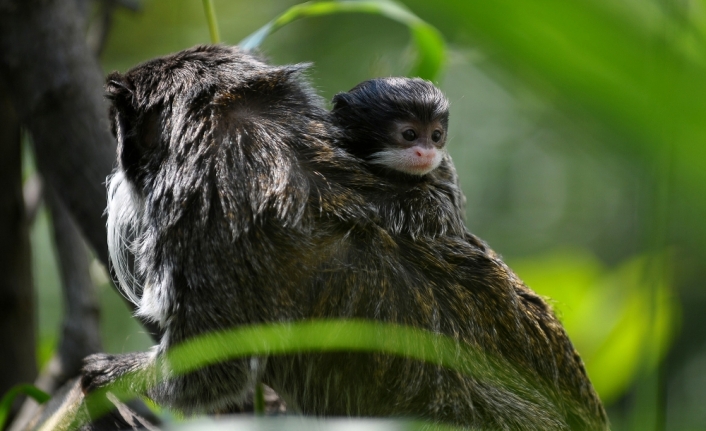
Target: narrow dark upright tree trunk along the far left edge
(17,323)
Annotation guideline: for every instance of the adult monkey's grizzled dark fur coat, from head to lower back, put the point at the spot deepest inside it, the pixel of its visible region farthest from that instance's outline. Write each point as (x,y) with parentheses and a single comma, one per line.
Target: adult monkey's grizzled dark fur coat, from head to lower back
(233,204)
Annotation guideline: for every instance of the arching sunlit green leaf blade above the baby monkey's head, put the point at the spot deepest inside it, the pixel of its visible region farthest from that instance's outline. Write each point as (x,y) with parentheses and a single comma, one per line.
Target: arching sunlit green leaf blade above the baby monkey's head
(430,46)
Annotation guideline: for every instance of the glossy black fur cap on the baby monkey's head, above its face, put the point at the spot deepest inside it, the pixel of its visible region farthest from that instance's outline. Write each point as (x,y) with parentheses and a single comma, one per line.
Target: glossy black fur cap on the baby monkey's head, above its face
(366,112)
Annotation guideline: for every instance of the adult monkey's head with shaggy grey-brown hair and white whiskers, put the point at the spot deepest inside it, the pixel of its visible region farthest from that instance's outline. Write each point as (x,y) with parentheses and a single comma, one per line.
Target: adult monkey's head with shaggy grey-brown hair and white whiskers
(207,141)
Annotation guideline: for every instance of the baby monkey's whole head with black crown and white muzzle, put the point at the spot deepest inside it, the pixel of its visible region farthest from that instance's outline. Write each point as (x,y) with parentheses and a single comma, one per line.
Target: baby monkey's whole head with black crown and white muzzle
(397,123)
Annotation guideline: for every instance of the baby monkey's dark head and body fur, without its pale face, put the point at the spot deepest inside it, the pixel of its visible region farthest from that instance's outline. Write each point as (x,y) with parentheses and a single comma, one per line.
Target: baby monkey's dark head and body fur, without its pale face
(429,205)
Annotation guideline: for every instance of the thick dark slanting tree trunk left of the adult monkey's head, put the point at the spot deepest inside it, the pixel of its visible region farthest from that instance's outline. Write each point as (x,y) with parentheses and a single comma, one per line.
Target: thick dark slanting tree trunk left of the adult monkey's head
(56,87)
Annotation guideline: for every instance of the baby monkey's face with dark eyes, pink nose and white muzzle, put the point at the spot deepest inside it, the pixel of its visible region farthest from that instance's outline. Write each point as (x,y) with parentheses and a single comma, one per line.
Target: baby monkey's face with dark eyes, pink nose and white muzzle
(413,147)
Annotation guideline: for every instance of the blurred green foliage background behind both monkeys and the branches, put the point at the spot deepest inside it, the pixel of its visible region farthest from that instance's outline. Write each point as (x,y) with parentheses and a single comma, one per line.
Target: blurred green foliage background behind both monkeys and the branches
(578,132)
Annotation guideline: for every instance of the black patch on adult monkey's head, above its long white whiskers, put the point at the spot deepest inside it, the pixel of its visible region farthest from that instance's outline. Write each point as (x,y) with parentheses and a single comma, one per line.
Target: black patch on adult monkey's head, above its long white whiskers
(134,129)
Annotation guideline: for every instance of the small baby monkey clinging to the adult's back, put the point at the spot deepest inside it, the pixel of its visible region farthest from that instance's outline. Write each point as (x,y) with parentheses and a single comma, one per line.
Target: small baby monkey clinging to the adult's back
(398,127)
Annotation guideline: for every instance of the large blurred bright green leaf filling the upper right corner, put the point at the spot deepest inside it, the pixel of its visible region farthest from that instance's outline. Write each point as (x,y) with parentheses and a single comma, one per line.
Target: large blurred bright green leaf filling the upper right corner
(636,79)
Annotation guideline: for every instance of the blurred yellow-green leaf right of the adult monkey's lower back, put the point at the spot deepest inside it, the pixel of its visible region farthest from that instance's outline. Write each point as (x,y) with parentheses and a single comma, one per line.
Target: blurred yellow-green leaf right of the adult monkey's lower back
(619,320)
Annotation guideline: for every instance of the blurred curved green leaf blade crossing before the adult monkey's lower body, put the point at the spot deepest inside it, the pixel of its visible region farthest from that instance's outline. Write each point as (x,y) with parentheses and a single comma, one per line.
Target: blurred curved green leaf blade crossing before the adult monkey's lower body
(329,336)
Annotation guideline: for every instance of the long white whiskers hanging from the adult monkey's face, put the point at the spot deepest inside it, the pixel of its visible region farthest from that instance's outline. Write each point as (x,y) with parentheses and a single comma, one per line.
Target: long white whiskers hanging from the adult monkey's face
(124,226)
